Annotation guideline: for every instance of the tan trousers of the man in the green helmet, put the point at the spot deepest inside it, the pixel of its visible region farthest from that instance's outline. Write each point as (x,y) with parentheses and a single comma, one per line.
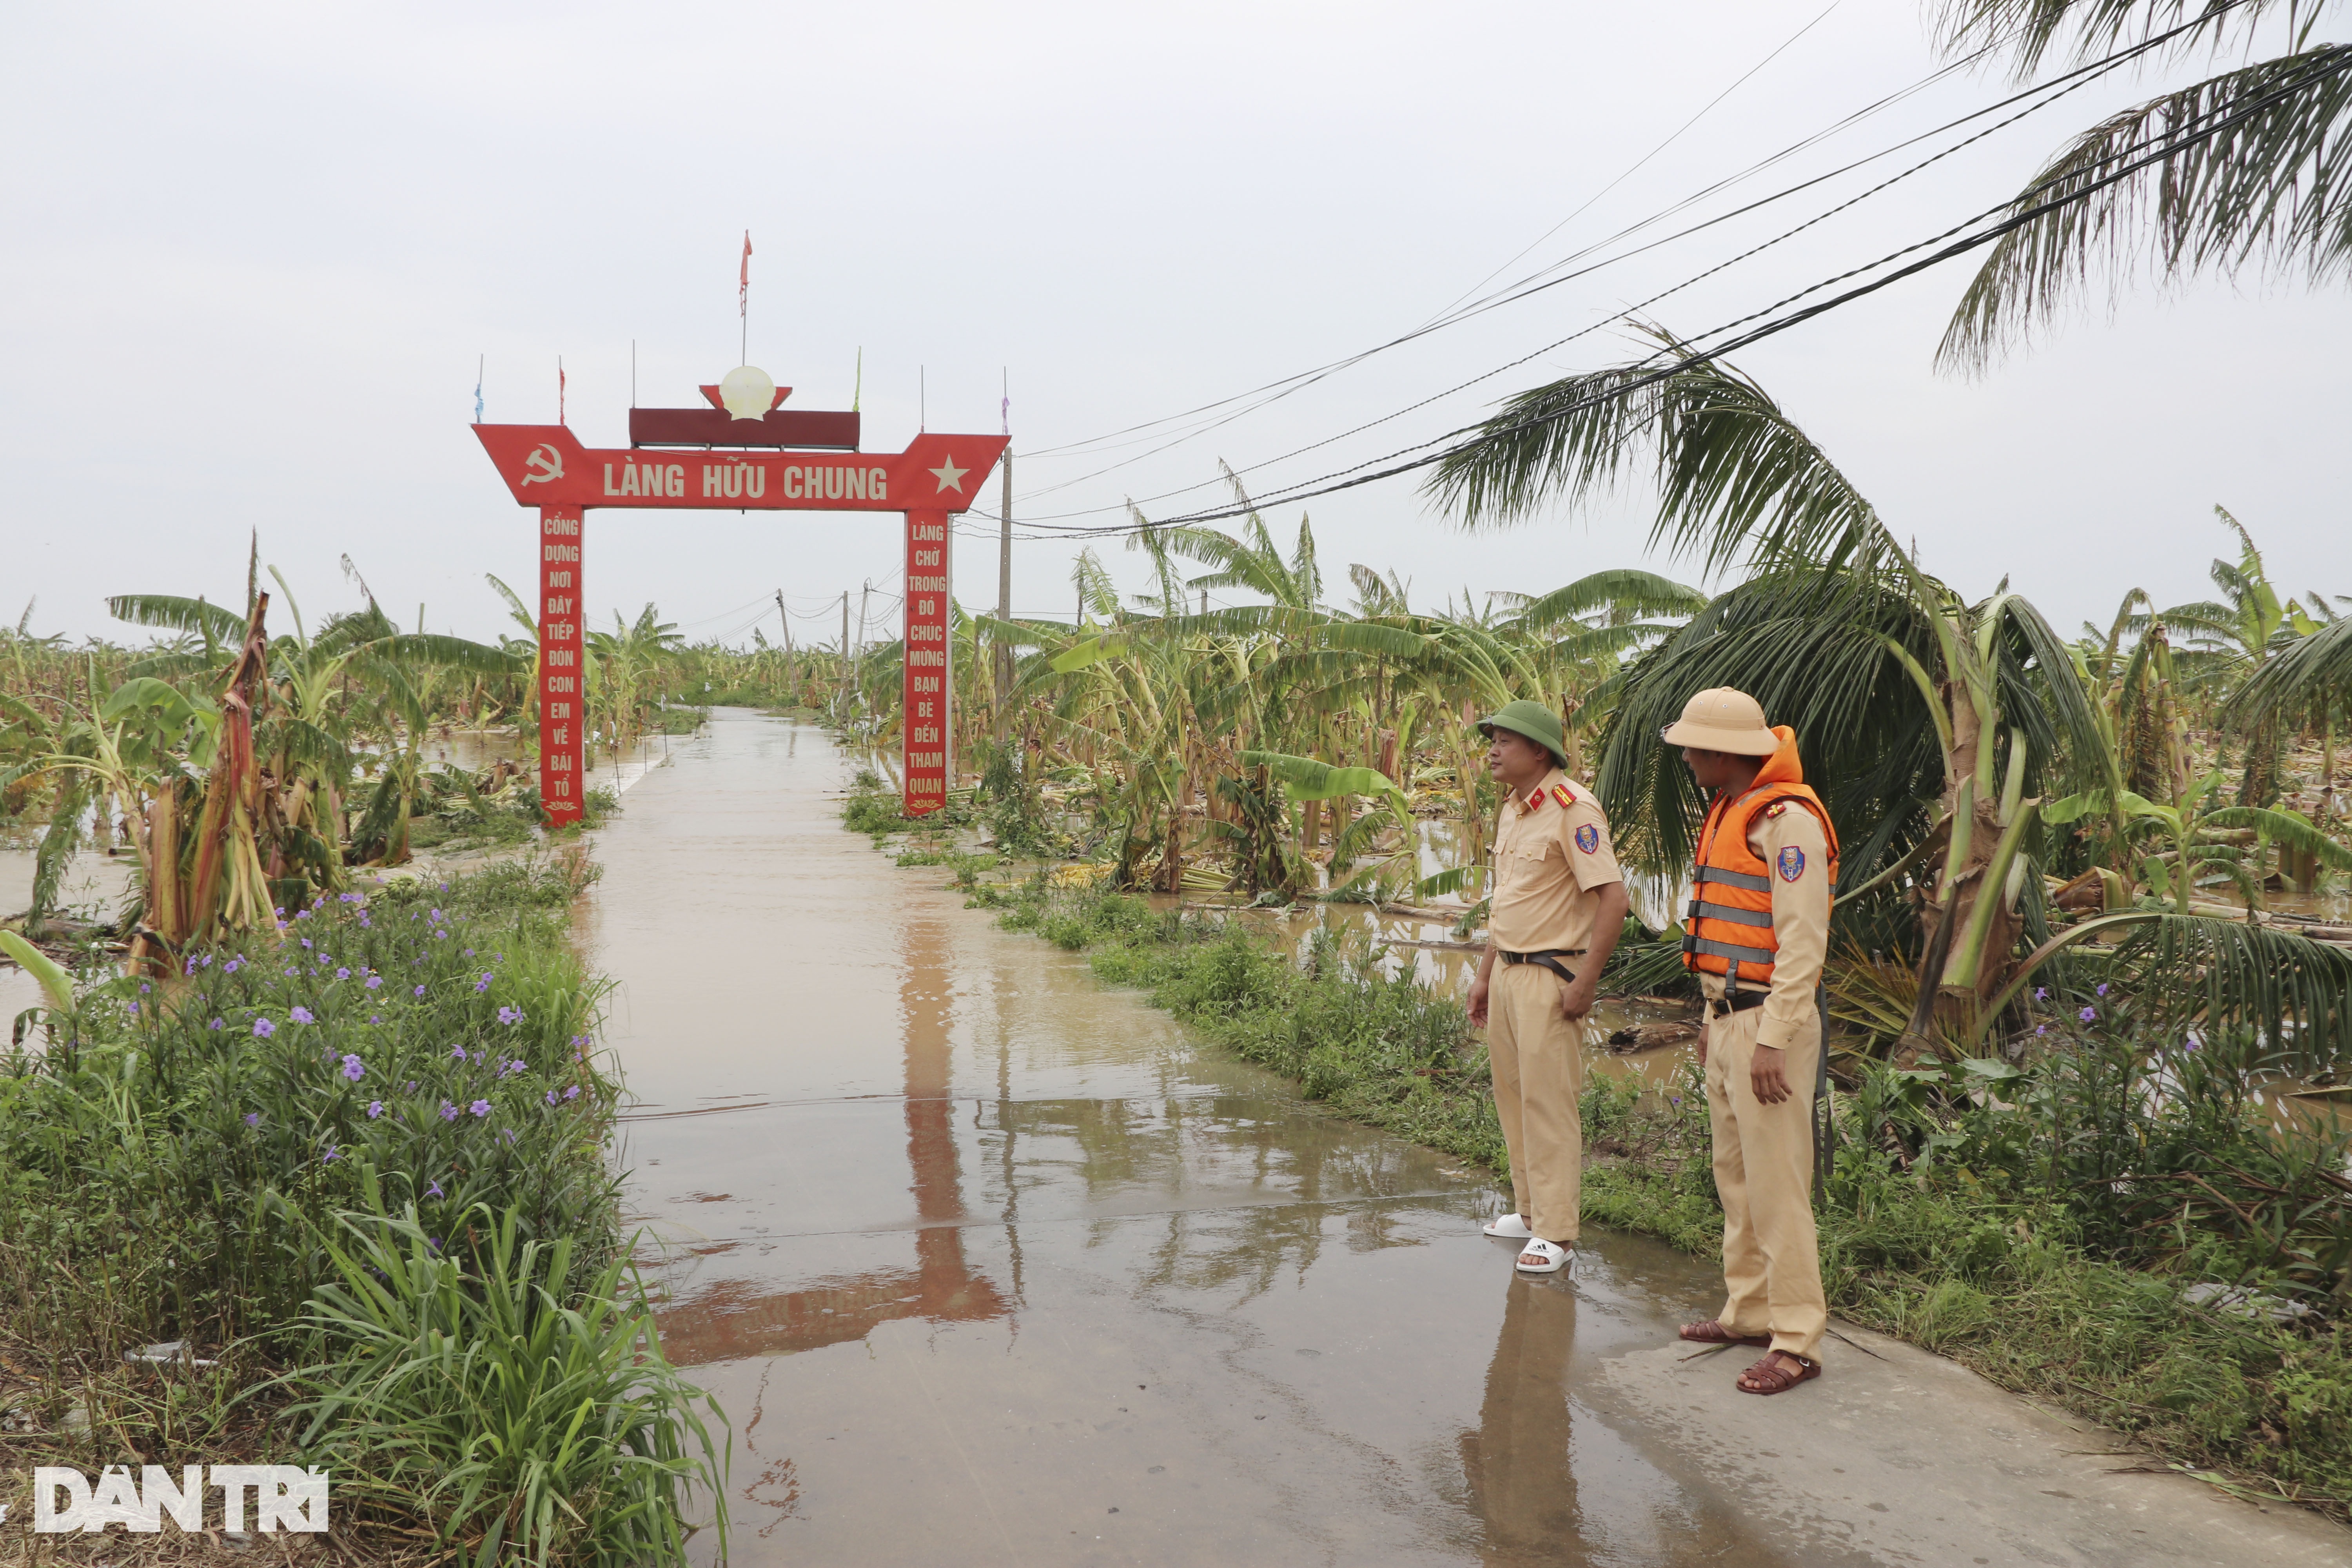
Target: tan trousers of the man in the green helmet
(1539,1071)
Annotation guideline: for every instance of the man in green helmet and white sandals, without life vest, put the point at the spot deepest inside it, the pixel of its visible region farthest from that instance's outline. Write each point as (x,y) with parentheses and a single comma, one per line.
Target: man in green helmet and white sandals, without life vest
(1556,913)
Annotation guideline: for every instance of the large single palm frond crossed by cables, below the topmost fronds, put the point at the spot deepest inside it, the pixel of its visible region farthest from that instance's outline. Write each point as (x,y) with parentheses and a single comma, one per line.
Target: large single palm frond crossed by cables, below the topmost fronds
(2271,187)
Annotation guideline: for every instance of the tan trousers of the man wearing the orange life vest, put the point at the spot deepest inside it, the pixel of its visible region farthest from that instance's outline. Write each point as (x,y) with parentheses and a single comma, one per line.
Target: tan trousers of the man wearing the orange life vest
(1765,1177)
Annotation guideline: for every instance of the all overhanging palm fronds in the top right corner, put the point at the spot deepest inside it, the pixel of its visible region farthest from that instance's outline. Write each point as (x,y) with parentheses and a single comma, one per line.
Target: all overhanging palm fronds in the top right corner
(2238,170)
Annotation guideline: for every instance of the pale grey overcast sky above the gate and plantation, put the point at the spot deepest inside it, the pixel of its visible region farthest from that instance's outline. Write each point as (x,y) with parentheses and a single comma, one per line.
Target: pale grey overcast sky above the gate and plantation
(255,253)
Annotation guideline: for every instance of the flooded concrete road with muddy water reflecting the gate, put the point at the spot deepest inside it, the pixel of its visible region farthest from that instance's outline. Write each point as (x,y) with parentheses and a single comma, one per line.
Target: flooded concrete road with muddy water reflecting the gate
(994,1266)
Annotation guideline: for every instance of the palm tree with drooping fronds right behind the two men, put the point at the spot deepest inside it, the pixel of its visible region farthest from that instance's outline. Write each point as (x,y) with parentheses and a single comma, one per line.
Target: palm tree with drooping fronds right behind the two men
(1927,716)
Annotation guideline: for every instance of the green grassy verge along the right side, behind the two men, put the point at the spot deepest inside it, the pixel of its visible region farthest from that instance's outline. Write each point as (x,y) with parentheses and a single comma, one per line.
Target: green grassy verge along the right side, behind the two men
(2040,1235)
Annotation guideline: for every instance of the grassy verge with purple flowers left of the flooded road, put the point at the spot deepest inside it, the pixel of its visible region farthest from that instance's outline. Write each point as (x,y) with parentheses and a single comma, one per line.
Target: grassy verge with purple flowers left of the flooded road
(356,1174)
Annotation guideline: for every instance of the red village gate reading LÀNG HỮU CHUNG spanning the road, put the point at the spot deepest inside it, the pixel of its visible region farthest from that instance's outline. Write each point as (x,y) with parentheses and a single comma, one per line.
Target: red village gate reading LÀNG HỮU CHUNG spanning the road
(704,460)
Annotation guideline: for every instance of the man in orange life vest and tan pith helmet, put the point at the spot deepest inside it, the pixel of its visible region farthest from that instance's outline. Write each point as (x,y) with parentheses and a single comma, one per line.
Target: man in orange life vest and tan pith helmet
(1756,937)
